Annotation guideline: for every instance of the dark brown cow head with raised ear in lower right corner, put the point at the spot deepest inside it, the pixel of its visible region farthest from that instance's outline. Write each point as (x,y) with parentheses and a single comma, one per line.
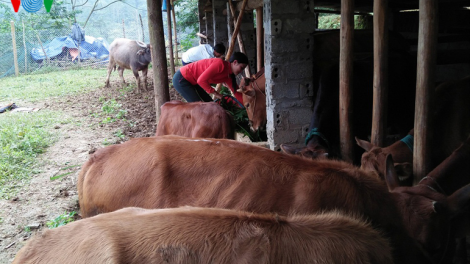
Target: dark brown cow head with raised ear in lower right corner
(426,213)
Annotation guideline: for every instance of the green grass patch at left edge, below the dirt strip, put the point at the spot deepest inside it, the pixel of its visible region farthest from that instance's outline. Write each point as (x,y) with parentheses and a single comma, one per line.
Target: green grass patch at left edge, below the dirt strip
(23,136)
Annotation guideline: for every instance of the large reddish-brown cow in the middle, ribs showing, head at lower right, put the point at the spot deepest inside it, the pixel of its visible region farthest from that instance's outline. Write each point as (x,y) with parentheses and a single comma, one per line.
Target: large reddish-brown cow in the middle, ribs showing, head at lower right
(171,171)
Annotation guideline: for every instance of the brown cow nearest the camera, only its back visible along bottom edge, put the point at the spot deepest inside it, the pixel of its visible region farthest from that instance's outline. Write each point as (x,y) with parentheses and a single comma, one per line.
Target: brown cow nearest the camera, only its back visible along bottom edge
(208,235)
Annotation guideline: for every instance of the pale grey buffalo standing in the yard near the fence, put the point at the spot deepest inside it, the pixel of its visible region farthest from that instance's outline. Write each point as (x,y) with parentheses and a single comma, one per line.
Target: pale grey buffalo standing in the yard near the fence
(129,54)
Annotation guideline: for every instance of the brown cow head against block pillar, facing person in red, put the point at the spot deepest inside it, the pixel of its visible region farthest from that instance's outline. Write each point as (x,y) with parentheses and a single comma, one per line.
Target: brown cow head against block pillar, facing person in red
(254,99)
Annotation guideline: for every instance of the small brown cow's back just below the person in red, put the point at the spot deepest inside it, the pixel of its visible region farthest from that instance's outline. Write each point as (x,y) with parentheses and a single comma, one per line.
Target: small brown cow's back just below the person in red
(197,119)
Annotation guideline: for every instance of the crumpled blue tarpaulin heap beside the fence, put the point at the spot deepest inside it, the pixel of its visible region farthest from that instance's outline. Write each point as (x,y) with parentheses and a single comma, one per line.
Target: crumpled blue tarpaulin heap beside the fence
(96,48)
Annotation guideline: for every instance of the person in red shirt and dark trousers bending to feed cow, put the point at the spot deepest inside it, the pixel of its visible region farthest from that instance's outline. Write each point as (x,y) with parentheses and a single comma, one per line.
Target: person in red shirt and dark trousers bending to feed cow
(193,81)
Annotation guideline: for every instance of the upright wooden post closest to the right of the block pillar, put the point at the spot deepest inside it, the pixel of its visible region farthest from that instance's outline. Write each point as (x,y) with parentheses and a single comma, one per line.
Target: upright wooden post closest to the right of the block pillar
(345,76)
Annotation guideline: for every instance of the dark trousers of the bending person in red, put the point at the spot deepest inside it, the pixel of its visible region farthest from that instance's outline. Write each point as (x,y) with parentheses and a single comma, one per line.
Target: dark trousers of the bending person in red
(192,93)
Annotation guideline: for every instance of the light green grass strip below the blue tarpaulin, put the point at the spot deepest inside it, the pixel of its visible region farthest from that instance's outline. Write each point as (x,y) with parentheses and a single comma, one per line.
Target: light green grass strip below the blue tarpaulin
(38,87)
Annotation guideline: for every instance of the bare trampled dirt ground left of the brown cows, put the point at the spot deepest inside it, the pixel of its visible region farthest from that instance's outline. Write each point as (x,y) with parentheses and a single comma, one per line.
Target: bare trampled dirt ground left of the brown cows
(42,199)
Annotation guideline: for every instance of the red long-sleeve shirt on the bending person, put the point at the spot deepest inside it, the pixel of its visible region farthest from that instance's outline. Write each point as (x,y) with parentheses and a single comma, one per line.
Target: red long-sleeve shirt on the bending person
(210,71)
